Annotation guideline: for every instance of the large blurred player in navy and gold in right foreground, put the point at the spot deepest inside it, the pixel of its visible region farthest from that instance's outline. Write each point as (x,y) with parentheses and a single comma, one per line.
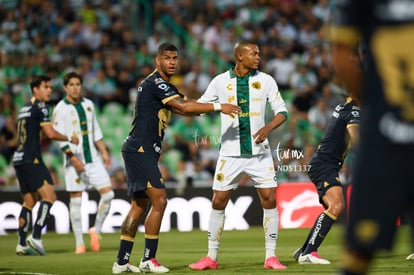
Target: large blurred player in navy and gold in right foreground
(383,165)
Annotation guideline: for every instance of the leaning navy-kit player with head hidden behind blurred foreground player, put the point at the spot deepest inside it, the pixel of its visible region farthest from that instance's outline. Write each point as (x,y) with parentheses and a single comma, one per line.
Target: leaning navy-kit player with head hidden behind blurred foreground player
(340,134)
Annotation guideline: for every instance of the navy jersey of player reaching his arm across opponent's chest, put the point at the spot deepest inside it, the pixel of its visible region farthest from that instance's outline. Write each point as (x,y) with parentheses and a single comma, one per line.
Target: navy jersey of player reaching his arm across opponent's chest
(151,114)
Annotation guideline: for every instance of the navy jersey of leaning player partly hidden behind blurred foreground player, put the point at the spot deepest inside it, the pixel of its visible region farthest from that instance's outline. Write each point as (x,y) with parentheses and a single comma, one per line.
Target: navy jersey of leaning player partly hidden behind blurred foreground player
(335,142)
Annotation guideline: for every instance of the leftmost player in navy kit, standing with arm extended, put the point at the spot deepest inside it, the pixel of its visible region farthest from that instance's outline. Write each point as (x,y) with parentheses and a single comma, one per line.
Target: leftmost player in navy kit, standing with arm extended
(33,176)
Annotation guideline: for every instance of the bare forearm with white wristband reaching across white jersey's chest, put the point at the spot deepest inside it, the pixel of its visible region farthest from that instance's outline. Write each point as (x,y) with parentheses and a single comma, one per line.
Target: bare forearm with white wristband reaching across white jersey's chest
(190,108)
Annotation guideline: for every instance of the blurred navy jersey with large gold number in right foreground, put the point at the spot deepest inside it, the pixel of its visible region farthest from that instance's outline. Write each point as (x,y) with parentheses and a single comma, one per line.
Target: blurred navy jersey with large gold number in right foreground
(387,28)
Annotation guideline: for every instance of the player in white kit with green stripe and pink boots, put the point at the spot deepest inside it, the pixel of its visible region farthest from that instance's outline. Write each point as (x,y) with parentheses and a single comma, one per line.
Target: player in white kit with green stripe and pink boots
(245,147)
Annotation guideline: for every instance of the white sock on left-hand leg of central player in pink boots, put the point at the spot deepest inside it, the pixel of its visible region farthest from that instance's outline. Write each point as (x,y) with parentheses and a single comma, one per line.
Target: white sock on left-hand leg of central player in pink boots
(215,228)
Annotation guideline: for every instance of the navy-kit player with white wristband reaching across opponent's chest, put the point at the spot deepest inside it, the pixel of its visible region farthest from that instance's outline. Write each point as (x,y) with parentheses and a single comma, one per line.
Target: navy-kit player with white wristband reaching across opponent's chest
(156,100)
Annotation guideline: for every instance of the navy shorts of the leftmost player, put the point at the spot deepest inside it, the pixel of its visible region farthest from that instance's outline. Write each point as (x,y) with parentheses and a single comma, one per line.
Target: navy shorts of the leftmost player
(32,176)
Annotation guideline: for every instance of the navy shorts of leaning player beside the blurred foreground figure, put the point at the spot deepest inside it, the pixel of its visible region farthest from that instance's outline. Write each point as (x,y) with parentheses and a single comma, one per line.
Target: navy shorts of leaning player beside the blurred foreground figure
(324,175)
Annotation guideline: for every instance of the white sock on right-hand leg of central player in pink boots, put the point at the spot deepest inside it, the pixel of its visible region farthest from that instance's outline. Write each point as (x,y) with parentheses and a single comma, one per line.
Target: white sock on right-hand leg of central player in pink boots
(271,229)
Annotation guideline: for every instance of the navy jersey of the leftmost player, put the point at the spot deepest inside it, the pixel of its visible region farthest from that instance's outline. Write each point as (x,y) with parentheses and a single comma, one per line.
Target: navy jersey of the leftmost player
(30,119)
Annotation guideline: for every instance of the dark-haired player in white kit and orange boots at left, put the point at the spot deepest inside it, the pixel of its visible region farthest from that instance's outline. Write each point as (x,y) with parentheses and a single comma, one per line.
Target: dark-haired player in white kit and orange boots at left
(84,164)
